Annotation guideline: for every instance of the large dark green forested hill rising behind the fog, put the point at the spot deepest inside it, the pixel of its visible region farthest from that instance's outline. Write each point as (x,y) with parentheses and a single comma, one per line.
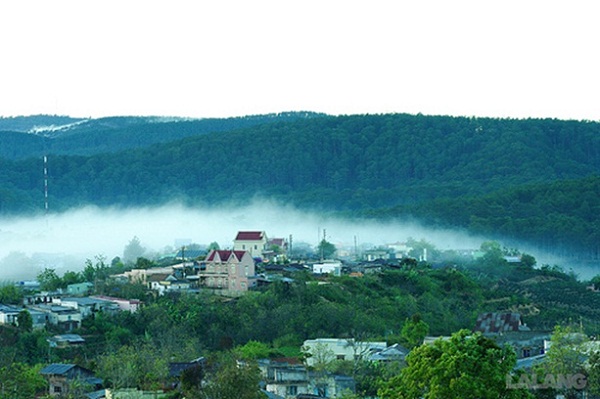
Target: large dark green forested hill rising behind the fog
(448,167)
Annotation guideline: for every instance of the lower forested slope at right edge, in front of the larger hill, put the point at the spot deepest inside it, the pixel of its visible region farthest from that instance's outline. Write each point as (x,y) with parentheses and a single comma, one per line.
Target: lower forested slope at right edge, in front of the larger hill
(560,217)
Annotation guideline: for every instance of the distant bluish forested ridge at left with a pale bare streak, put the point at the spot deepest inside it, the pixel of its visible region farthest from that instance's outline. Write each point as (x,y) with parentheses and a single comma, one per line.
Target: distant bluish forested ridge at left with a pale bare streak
(39,135)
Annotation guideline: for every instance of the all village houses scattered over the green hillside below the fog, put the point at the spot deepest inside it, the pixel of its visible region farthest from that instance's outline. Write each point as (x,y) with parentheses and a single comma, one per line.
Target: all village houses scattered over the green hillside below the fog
(254,261)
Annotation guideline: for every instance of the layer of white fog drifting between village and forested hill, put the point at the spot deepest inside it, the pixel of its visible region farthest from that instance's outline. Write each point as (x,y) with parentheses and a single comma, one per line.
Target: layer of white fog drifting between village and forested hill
(65,241)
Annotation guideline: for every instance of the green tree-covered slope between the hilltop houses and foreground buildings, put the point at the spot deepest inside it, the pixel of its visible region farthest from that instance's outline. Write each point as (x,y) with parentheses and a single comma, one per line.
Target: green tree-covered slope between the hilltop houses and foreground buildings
(274,321)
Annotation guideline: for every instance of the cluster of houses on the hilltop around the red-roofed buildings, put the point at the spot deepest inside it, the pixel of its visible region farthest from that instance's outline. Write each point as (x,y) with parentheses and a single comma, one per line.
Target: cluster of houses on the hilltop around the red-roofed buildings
(231,272)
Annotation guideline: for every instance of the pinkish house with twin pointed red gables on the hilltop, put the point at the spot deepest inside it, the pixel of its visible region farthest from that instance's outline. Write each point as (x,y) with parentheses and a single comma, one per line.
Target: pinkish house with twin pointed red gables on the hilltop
(228,270)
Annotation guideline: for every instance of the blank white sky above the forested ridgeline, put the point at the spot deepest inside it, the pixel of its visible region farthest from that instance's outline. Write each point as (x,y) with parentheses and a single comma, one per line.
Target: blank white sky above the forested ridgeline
(229,57)
